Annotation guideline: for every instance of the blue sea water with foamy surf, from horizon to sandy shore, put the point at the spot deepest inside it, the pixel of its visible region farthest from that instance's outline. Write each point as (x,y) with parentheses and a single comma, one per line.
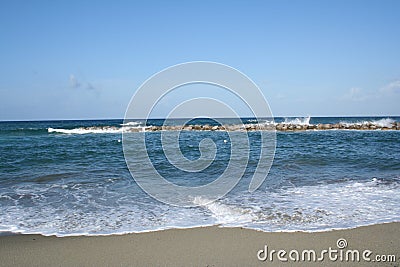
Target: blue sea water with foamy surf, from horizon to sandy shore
(70,178)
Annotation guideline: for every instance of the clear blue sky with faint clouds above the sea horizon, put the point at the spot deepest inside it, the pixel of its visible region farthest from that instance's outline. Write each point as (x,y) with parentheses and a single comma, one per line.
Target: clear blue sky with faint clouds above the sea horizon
(86,59)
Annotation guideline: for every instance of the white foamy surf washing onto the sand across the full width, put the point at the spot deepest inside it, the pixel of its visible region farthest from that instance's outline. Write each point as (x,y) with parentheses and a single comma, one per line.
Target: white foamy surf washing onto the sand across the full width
(97,211)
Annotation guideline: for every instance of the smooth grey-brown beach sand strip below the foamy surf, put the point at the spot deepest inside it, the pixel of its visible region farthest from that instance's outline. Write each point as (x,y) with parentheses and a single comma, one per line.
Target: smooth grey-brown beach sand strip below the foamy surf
(204,246)
